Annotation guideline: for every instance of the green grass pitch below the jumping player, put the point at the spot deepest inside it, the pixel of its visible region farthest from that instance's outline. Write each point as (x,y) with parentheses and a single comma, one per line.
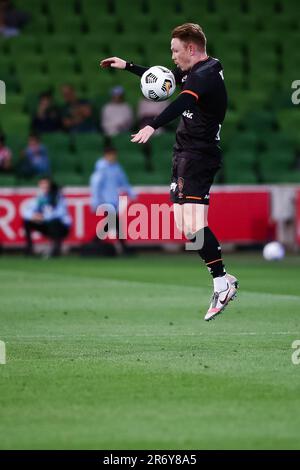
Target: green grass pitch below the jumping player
(115,354)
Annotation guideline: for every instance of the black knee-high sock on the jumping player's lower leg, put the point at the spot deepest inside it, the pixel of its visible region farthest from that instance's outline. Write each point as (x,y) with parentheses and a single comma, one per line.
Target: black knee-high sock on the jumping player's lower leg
(211,252)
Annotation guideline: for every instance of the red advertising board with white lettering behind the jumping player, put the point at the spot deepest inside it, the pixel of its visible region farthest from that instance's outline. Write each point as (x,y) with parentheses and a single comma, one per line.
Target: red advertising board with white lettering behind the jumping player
(237,215)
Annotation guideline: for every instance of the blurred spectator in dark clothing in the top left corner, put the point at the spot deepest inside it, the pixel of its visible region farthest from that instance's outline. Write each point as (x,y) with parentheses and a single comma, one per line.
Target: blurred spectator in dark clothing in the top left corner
(11,19)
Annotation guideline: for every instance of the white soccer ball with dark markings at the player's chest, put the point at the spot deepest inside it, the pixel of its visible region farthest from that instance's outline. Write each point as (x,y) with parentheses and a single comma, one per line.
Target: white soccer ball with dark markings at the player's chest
(158,83)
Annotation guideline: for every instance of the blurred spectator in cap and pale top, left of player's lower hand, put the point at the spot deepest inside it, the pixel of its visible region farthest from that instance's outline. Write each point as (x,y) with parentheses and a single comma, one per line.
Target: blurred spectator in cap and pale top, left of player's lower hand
(116,115)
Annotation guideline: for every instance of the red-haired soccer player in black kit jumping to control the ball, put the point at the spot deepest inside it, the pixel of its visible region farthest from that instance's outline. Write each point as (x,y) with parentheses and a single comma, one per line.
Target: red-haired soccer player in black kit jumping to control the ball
(197,157)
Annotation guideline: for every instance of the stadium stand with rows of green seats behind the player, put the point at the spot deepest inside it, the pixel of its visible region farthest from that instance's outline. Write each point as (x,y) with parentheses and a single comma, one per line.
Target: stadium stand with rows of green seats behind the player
(63,42)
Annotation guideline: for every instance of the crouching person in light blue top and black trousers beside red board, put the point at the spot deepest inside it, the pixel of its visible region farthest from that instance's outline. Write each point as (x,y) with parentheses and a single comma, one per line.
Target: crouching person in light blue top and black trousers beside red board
(47,214)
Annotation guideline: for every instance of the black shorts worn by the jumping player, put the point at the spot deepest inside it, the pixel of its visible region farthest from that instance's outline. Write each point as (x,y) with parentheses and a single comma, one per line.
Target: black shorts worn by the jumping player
(192,177)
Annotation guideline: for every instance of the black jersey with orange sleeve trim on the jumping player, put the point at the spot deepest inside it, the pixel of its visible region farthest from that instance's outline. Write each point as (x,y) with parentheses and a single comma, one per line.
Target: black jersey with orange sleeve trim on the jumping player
(199,127)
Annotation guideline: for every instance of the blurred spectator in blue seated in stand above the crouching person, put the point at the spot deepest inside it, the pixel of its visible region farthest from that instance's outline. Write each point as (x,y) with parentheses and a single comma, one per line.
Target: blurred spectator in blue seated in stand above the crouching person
(34,159)
